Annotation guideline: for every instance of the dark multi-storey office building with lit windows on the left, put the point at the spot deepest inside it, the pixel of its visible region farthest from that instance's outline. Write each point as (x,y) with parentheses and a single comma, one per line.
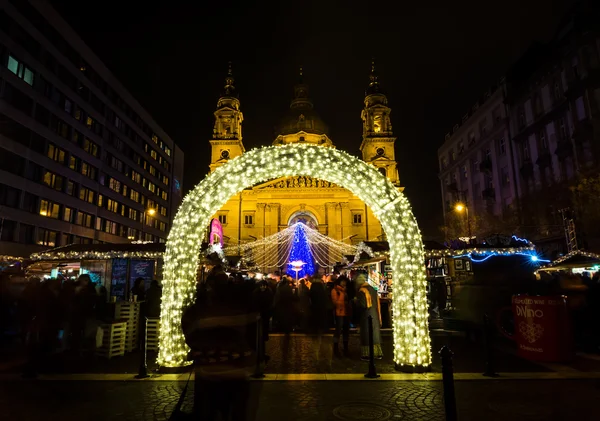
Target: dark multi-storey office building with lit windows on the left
(80,160)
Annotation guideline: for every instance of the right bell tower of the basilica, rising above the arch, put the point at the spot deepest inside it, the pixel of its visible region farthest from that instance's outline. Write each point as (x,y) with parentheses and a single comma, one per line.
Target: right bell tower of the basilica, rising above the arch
(378,142)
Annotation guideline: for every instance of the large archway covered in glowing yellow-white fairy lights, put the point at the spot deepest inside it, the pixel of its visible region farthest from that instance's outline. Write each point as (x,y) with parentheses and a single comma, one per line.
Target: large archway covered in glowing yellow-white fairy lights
(410,329)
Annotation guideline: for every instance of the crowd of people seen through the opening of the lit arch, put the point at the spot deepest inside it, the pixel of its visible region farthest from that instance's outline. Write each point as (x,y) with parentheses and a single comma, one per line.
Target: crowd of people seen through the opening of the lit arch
(312,304)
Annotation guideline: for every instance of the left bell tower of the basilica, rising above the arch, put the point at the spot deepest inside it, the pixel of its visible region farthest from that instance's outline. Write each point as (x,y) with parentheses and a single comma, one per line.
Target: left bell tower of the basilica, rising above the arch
(226,142)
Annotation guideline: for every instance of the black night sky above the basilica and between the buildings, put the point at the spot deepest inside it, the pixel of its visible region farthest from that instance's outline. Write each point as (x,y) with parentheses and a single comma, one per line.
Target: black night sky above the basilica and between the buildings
(434,61)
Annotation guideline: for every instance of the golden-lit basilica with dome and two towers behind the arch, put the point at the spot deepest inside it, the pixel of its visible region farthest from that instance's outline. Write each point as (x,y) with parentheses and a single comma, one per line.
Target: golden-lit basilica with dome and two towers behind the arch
(265,209)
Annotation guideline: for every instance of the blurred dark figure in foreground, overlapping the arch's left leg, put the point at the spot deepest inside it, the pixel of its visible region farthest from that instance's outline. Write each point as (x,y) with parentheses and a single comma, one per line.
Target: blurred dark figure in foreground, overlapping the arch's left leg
(222,336)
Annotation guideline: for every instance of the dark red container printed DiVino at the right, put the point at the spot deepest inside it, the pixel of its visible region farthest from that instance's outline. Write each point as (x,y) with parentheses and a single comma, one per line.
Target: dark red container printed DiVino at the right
(542,328)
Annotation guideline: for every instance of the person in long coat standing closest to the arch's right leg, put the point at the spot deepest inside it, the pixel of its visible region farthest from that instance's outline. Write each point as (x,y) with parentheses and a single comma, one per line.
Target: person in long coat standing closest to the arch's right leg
(368,305)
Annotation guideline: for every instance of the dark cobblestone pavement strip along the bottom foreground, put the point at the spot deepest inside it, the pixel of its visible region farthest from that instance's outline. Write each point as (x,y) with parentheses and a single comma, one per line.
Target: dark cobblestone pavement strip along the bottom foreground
(491,400)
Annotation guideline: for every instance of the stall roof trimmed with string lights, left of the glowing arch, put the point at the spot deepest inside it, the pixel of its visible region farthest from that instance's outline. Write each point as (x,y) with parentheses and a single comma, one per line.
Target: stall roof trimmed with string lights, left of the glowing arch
(102,251)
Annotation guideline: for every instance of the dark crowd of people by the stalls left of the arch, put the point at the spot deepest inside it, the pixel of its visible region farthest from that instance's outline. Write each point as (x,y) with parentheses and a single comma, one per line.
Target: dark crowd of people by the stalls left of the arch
(62,314)
